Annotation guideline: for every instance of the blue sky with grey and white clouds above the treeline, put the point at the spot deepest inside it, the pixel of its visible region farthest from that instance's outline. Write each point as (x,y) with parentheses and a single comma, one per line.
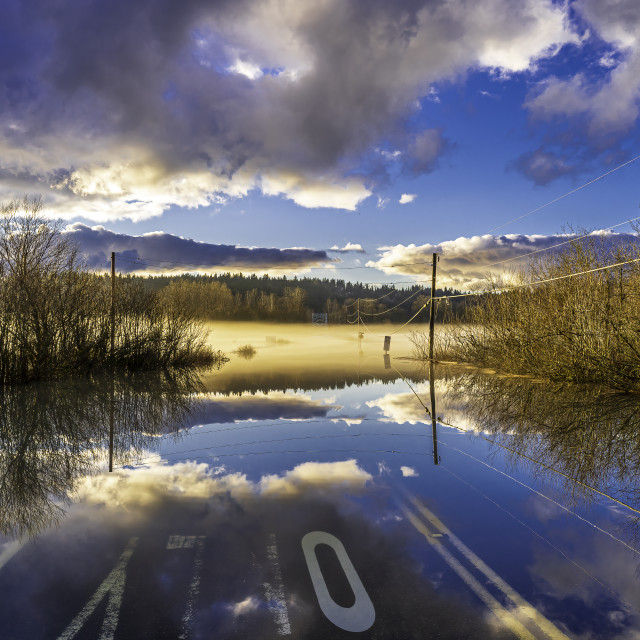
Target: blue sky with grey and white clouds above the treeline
(333,138)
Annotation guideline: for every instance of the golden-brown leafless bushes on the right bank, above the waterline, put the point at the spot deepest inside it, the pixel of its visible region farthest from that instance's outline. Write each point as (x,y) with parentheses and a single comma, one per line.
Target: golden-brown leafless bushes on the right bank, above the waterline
(582,329)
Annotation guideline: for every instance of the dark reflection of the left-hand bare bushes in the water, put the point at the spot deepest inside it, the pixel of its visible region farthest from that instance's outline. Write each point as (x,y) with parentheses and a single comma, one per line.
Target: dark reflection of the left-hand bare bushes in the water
(51,433)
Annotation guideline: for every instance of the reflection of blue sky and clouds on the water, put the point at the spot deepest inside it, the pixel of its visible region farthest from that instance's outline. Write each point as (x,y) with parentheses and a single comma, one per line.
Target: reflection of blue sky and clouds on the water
(336,460)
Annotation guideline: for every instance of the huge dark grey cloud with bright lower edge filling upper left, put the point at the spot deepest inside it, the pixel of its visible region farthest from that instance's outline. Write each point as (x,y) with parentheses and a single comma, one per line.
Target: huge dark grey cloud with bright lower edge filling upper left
(152,103)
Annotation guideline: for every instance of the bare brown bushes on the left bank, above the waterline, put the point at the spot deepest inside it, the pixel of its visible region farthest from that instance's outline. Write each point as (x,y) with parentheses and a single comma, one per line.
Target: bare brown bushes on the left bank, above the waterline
(55,314)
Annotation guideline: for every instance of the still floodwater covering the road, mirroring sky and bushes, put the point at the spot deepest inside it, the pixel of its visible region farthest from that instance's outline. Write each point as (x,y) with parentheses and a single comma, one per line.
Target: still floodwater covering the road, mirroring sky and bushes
(306,491)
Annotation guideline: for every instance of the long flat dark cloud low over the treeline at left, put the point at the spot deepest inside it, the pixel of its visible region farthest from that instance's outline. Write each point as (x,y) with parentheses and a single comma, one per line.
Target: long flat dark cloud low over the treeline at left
(162,250)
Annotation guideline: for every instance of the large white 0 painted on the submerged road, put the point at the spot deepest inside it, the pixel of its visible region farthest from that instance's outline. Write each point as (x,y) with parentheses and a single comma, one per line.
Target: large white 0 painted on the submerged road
(358,617)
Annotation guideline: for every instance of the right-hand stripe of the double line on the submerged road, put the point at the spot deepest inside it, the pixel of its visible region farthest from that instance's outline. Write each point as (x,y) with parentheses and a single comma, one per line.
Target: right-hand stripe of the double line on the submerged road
(523,607)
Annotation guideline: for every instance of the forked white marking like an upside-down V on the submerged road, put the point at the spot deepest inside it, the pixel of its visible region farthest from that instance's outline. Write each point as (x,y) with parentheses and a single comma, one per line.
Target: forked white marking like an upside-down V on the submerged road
(113,584)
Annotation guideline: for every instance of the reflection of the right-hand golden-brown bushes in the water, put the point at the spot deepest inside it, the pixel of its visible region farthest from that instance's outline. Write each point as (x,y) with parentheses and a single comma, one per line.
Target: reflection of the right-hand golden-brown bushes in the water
(586,433)
